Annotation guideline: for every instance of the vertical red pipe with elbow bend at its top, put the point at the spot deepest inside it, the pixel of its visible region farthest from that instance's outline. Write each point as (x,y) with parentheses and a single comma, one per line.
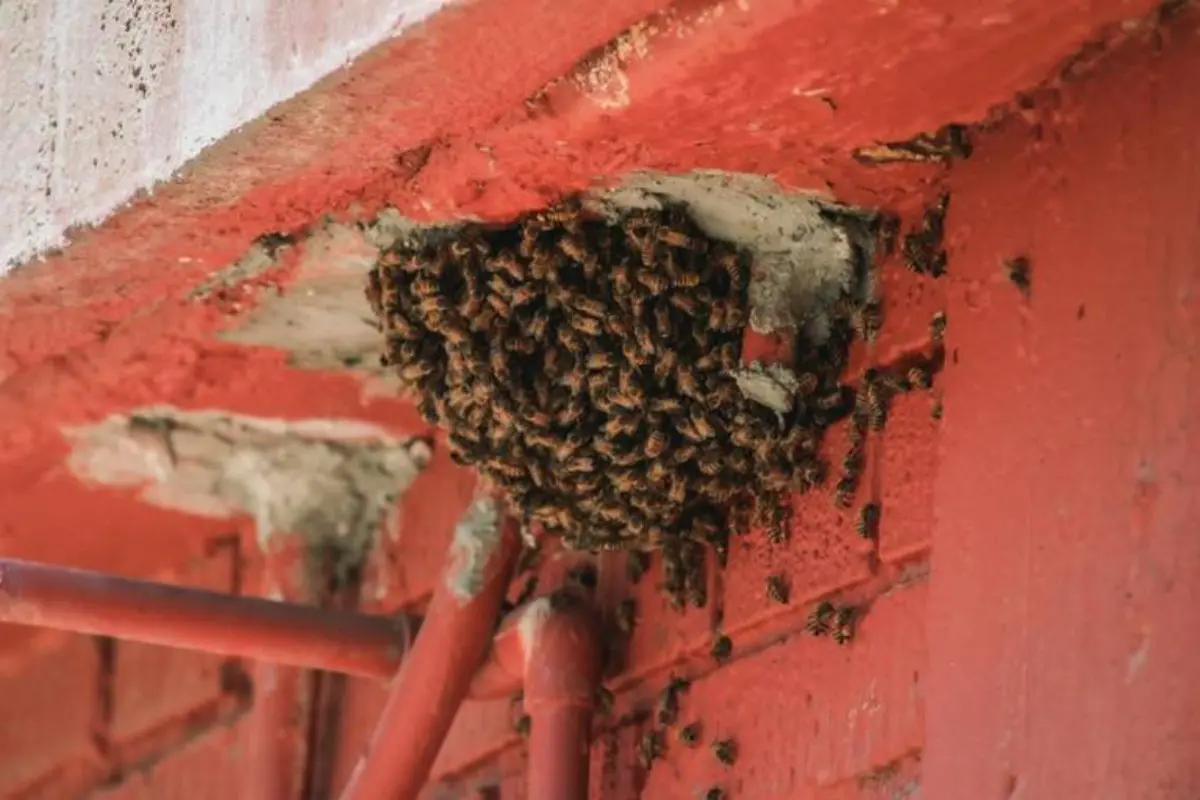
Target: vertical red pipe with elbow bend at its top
(554,648)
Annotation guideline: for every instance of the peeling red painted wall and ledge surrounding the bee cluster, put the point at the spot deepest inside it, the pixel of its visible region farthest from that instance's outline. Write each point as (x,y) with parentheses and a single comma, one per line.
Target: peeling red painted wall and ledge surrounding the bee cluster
(1030,600)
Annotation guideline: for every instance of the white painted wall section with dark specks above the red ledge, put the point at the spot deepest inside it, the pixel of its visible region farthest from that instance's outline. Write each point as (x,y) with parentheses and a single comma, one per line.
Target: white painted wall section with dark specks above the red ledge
(100,99)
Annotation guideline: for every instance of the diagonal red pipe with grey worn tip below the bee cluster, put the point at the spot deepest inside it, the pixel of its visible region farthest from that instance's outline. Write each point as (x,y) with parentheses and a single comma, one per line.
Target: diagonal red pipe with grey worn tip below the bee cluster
(437,673)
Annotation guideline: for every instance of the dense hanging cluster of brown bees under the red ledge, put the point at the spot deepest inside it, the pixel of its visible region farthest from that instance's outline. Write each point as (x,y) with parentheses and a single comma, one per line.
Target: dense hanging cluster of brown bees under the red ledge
(585,366)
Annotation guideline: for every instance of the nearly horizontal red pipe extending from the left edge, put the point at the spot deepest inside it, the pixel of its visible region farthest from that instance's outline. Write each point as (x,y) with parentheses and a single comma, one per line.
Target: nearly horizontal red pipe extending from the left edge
(249,628)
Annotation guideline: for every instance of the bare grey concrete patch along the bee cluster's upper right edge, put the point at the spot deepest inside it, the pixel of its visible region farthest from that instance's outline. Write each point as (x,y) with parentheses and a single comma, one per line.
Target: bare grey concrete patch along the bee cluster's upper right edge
(807,250)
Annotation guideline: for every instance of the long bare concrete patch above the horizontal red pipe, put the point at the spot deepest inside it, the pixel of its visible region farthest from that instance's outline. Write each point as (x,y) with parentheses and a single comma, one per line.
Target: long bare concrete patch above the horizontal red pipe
(333,482)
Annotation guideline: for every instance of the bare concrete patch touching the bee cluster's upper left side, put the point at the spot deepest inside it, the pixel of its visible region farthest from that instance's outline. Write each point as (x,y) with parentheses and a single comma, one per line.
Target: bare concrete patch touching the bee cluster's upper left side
(322,320)
